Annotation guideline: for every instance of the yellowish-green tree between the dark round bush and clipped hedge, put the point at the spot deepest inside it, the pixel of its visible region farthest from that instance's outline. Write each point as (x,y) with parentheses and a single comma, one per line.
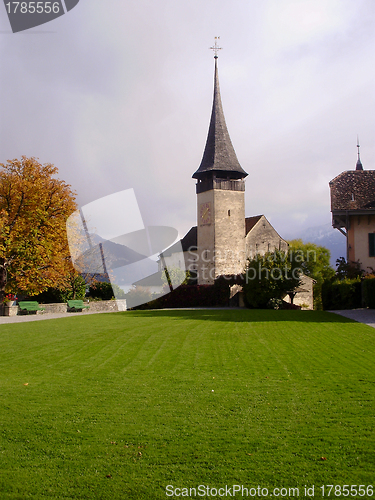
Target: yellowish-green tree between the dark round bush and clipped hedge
(314,262)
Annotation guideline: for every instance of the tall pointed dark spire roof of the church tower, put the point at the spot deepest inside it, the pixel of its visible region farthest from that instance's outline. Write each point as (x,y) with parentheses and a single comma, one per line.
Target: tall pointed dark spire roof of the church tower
(219,155)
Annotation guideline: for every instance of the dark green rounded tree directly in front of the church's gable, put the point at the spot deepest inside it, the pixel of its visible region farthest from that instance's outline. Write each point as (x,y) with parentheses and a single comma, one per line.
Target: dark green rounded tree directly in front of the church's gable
(270,276)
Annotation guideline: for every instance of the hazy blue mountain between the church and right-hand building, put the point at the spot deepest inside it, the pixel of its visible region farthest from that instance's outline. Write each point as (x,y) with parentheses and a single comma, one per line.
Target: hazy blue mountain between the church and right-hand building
(327,237)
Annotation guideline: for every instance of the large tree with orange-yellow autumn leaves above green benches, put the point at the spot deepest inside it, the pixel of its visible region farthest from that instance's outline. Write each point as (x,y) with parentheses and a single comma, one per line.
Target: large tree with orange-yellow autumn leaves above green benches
(34,207)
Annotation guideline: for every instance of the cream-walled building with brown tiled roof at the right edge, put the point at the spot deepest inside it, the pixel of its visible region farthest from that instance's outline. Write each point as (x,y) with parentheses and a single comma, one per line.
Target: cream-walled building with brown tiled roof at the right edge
(353,213)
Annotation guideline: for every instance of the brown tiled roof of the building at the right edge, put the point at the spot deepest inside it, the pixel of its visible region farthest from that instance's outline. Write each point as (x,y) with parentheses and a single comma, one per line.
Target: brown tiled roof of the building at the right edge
(353,190)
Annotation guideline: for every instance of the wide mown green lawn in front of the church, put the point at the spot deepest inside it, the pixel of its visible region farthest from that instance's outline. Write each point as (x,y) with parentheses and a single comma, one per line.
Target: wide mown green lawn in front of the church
(184,398)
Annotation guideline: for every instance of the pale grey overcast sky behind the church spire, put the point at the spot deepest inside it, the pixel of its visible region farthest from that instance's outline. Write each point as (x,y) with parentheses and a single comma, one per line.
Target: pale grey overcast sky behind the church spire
(118,95)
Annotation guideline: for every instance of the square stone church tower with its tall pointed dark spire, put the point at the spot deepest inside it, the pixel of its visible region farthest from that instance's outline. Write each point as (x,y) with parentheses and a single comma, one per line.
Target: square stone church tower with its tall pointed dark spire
(220,192)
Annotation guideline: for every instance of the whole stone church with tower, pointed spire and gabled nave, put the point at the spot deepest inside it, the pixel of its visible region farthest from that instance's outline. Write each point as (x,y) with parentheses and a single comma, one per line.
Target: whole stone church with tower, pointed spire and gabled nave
(224,238)
